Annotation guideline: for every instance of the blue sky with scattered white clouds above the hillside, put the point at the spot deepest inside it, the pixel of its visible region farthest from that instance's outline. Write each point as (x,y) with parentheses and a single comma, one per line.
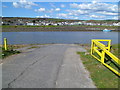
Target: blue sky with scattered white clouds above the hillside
(92,10)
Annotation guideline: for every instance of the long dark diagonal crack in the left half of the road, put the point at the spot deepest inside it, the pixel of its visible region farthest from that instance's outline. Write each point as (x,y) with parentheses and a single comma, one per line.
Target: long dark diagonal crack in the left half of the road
(9,84)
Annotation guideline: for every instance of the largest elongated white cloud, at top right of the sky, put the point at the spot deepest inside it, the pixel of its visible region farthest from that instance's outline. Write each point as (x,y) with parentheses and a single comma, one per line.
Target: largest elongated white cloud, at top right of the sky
(95,6)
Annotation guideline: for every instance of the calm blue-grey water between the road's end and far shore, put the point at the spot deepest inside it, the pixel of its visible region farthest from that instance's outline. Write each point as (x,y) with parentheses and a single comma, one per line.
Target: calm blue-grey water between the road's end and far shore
(57,37)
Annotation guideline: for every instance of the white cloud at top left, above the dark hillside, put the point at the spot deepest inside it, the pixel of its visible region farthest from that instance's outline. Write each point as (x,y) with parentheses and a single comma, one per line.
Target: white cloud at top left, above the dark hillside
(24,4)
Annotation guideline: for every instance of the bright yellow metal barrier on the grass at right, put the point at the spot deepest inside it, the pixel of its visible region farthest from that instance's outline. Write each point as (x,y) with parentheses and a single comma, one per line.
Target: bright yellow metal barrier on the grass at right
(102,50)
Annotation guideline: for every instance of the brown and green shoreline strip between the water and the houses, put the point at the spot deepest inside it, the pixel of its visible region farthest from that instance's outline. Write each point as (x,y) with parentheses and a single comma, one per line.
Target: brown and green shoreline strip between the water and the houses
(55,28)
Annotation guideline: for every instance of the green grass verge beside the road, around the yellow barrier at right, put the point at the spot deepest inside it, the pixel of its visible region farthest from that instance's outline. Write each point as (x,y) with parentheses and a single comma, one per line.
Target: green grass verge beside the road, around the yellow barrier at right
(101,75)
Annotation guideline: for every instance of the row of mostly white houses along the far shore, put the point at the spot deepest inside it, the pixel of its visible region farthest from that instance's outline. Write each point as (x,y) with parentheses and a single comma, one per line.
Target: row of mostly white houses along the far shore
(46,23)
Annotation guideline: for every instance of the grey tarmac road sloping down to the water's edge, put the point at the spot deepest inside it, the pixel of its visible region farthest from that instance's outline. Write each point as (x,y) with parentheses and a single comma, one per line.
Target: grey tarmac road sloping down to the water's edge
(48,66)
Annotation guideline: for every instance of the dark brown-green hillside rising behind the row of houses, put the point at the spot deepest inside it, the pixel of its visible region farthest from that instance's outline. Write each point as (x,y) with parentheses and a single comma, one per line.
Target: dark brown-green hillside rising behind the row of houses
(56,20)
